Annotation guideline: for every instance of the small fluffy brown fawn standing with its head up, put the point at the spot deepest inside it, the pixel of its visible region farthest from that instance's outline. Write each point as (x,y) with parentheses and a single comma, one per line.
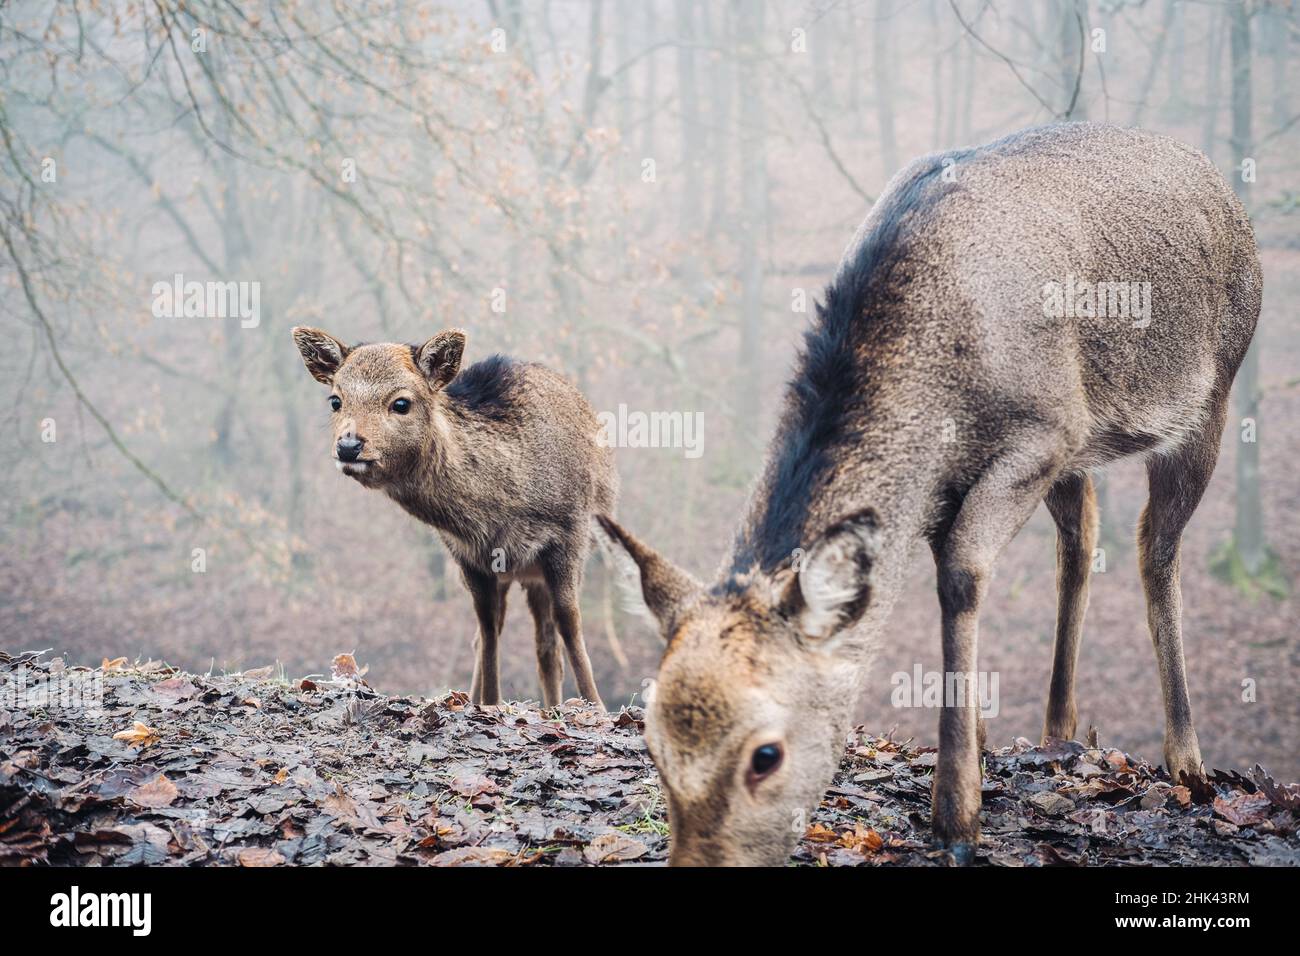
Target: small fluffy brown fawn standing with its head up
(501,458)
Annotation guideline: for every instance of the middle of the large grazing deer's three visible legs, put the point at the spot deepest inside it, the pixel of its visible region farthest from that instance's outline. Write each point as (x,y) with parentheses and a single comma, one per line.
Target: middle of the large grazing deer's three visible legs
(1074,507)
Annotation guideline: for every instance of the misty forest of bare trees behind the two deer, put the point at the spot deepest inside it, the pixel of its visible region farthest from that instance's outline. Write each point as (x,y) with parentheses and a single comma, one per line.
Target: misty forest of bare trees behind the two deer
(651,188)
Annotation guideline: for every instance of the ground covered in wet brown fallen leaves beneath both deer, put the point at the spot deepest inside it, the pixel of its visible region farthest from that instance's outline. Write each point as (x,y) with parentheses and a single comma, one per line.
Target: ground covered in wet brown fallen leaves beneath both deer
(163,768)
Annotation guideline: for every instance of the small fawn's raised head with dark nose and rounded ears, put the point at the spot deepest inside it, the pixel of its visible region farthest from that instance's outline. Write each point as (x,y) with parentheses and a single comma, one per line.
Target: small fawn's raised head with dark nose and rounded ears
(385,400)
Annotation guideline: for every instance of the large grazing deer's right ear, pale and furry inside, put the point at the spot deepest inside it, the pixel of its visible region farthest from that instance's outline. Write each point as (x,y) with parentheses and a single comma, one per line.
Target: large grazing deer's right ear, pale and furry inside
(833,586)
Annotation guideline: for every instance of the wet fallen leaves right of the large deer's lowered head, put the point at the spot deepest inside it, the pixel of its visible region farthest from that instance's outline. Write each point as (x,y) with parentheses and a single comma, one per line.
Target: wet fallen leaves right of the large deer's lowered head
(1063,804)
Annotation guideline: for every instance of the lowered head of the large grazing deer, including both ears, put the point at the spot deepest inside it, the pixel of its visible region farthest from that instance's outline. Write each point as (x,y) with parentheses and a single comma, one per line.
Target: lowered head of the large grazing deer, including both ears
(755,695)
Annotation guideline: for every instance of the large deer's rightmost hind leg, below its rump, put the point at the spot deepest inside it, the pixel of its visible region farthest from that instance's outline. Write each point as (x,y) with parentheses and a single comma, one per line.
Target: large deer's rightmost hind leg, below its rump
(1177,482)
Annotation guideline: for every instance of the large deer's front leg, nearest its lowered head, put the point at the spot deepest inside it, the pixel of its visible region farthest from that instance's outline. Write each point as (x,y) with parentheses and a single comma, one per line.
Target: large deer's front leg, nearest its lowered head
(995,508)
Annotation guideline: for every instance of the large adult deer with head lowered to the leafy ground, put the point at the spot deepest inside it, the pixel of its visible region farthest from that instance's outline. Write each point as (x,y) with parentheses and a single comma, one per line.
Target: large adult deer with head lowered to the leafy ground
(942,393)
